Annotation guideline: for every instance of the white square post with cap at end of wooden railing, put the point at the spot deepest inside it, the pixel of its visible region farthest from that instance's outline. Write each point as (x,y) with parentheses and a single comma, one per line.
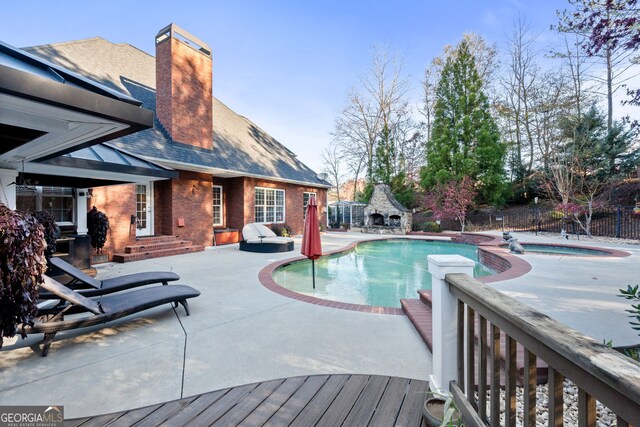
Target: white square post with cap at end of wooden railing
(444,318)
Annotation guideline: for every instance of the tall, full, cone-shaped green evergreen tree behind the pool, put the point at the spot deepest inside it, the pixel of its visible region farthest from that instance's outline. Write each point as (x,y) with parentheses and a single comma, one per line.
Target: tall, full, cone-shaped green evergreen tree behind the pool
(465,140)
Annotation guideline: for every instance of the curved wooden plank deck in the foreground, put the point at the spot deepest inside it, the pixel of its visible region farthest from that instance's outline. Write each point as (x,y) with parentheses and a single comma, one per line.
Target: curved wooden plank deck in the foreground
(322,400)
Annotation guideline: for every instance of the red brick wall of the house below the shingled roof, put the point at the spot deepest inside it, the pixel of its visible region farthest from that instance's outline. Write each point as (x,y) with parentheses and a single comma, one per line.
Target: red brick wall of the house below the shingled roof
(190,198)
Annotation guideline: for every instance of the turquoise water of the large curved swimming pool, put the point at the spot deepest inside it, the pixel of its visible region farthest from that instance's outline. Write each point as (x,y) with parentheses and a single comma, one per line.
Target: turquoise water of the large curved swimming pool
(377,273)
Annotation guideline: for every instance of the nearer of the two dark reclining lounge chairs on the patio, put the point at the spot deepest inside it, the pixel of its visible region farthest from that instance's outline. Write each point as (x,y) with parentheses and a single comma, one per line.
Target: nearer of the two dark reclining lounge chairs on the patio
(109,308)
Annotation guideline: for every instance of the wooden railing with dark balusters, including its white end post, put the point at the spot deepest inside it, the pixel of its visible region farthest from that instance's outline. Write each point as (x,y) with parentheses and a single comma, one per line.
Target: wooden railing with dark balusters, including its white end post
(469,355)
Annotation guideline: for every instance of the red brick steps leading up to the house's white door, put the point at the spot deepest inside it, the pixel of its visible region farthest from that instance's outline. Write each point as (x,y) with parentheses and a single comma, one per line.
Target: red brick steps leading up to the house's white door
(156,247)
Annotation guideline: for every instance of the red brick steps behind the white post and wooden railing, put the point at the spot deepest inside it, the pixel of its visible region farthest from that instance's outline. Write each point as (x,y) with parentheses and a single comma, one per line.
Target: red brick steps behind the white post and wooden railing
(419,312)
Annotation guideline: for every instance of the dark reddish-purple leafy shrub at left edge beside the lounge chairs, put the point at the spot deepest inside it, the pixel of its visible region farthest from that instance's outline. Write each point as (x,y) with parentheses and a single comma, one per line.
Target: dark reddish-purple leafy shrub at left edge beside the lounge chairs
(22,263)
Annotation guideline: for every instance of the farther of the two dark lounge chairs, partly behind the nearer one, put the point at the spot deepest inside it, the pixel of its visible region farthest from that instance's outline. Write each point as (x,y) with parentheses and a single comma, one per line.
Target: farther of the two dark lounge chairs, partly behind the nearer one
(90,287)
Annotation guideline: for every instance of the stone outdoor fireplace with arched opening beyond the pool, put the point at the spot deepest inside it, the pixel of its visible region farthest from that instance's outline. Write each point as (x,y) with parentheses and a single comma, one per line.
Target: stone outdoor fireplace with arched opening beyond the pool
(384,214)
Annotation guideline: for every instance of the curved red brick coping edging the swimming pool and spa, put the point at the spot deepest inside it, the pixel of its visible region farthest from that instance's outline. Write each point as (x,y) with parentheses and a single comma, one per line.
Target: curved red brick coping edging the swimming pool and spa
(507,265)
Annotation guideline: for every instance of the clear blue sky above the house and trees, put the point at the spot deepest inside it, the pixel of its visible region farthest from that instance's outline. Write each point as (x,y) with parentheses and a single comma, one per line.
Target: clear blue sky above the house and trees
(286,65)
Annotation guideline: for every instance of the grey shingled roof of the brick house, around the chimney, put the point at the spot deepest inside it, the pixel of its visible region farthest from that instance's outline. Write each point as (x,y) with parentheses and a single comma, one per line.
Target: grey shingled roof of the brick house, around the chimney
(241,148)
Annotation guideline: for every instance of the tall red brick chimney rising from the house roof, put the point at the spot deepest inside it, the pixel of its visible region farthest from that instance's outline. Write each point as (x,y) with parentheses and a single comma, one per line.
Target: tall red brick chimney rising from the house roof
(184,84)
